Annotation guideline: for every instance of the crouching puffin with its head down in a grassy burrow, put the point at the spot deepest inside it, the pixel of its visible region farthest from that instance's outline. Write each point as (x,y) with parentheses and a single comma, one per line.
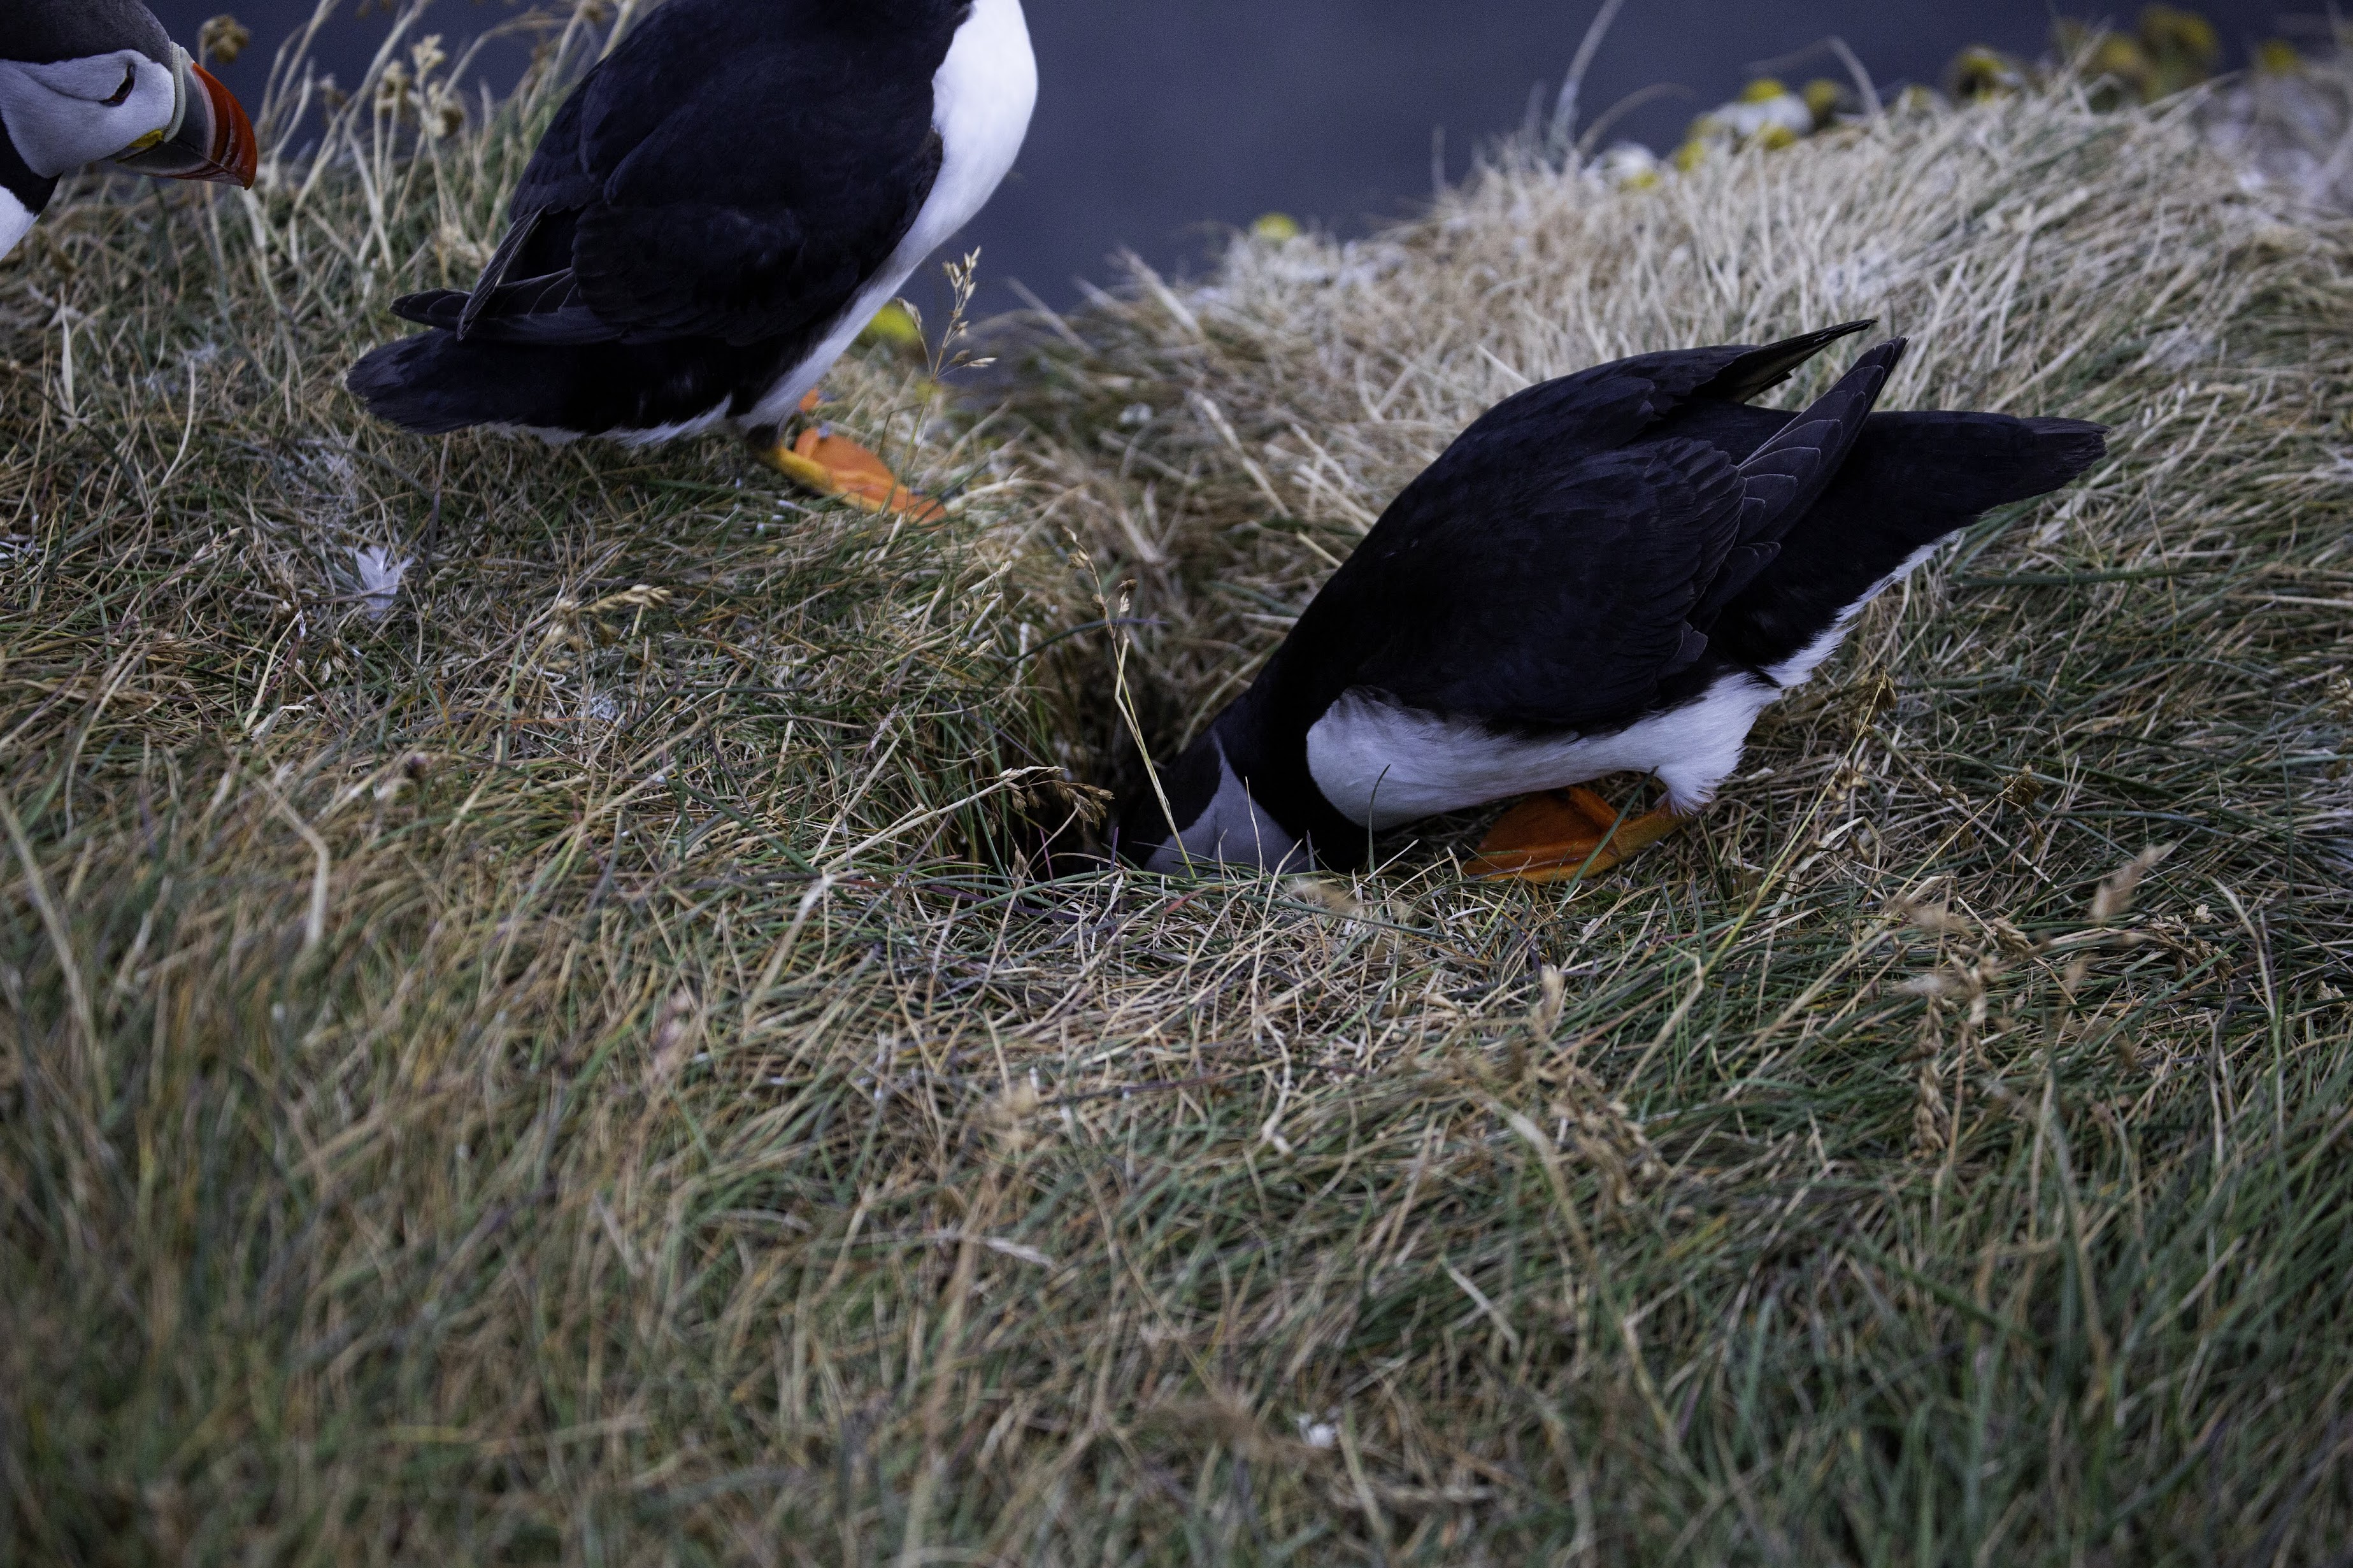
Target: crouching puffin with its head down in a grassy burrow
(1608,573)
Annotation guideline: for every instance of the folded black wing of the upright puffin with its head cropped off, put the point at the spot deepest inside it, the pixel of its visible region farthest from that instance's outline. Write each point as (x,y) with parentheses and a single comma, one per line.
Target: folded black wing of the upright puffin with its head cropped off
(731,173)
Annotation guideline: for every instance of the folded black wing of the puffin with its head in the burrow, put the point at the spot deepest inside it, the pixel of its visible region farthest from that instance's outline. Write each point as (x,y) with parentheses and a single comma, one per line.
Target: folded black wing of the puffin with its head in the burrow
(1559,590)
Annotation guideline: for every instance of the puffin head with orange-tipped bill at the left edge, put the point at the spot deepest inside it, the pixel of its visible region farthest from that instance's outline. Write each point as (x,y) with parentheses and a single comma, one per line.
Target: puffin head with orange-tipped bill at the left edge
(91,81)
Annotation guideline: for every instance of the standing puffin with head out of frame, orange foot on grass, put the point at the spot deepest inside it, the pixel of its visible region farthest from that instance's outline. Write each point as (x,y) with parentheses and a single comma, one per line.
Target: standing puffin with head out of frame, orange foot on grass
(712,220)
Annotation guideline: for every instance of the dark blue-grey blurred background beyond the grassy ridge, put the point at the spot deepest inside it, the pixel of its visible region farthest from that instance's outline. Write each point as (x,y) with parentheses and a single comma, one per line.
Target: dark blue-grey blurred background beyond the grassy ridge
(1161,124)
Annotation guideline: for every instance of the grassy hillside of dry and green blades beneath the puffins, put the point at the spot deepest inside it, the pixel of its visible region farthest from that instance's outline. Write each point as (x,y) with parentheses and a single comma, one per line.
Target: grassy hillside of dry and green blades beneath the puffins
(578,1056)
